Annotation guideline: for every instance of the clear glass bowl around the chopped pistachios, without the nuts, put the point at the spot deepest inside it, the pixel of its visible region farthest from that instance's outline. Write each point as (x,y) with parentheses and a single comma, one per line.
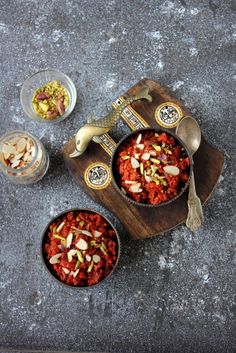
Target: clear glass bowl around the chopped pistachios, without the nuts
(39,79)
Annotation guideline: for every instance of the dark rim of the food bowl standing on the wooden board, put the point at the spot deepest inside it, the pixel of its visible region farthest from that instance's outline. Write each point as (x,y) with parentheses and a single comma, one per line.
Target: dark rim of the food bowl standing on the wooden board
(114,173)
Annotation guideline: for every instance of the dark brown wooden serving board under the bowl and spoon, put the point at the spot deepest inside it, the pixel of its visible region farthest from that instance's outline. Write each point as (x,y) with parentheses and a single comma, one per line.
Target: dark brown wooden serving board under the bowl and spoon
(142,222)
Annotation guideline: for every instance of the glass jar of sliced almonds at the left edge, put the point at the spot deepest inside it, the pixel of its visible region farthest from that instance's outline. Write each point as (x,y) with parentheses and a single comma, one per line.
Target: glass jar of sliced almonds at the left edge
(23,158)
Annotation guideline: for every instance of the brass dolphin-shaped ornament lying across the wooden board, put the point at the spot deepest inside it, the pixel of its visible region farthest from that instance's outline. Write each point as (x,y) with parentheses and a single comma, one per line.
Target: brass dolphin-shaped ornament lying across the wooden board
(95,128)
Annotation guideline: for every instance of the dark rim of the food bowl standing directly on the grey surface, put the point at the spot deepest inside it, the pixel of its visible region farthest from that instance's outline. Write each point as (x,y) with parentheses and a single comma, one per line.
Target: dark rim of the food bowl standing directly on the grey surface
(46,262)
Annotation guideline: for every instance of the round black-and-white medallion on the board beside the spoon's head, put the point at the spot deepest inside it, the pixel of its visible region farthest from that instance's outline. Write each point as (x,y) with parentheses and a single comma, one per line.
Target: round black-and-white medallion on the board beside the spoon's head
(168,114)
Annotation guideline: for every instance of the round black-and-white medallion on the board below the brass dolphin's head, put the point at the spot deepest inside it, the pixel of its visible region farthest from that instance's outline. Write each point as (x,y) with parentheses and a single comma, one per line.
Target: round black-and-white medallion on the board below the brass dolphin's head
(97,176)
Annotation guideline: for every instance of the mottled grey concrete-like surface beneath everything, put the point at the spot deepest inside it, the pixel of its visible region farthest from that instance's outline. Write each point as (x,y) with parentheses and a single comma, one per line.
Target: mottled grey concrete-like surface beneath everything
(174,293)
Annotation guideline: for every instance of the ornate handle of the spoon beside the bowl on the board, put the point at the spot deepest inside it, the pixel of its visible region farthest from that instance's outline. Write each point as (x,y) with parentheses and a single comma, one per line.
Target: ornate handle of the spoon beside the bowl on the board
(195,214)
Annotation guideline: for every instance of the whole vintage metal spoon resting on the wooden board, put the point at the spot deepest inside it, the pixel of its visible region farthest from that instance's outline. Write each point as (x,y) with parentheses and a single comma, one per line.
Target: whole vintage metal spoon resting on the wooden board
(189,132)
